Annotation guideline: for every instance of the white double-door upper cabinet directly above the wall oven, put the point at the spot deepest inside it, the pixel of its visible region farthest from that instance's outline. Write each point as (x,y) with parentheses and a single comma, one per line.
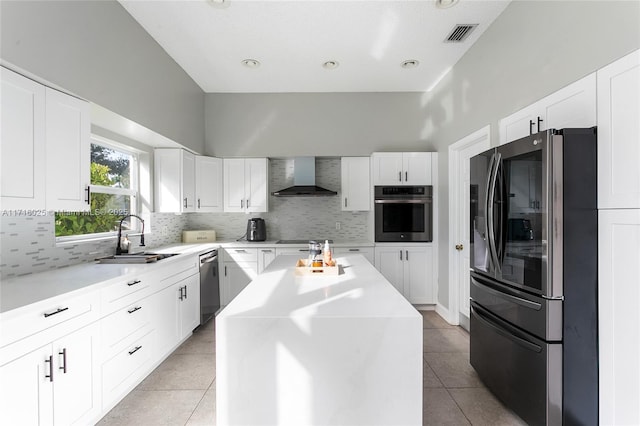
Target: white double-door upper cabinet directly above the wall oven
(401,168)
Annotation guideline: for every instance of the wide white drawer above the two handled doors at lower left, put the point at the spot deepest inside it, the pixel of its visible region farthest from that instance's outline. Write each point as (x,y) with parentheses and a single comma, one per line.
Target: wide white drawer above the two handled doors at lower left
(55,317)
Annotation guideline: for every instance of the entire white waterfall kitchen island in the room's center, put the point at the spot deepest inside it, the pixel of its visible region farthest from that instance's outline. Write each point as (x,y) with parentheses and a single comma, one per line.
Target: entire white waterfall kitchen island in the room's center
(329,350)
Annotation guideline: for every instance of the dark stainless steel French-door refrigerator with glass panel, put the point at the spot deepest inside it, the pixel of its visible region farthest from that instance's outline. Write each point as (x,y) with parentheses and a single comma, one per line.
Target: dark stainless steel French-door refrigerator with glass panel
(534,246)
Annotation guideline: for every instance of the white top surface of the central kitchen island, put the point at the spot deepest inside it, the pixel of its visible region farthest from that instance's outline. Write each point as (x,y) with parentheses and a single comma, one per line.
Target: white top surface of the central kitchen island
(279,292)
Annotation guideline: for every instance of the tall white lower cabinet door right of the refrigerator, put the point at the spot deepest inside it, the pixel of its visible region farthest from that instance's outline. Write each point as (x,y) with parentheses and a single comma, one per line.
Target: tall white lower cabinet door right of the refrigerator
(618,318)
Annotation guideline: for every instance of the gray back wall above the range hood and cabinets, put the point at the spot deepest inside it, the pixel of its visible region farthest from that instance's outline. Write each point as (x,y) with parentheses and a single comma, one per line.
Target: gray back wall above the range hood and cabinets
(321,124)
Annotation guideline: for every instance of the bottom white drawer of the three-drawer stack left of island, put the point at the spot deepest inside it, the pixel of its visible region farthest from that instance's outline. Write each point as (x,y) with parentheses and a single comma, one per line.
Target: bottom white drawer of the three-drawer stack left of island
(128,367)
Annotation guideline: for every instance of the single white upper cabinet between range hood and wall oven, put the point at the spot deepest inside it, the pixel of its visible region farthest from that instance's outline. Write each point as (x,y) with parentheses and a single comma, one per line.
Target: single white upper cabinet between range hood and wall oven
(356,187)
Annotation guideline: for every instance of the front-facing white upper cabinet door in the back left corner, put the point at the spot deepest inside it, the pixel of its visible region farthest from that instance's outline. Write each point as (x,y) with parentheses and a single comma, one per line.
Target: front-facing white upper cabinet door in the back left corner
(208,184)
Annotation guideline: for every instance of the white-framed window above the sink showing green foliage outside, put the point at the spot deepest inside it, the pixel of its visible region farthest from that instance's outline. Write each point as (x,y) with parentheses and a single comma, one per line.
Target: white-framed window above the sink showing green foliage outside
(114,190)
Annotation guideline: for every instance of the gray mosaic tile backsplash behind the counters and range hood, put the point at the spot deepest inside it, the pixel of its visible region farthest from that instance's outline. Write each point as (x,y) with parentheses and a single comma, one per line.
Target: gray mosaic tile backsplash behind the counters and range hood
(27,244)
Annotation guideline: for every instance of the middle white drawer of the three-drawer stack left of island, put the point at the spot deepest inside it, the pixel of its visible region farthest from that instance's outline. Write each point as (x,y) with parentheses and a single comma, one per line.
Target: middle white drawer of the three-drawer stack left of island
(118,326)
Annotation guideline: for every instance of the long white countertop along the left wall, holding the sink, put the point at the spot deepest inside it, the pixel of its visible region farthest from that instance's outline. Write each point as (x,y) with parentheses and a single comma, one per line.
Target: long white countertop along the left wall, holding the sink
(28,289)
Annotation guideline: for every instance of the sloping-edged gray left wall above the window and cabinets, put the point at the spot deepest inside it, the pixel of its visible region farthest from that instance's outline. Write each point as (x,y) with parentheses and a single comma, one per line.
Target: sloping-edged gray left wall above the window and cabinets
(97,51)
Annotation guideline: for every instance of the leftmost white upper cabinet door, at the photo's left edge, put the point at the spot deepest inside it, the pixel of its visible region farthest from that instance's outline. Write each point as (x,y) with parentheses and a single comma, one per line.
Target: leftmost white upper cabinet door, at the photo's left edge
(23,142)
